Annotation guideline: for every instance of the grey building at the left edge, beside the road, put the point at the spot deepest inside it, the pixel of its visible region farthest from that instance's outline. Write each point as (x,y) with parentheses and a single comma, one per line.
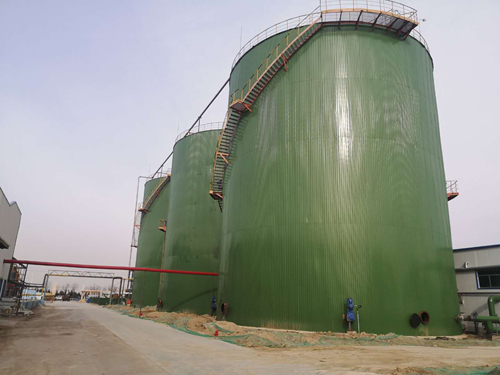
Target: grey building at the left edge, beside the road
(10,220)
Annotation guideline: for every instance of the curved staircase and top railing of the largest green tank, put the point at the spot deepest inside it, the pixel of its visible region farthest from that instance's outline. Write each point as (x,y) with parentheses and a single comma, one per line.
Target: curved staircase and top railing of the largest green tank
(390,16)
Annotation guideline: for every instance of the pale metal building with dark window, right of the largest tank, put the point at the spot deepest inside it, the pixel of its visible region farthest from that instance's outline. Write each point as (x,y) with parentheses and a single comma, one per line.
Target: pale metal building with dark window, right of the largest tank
(478,277)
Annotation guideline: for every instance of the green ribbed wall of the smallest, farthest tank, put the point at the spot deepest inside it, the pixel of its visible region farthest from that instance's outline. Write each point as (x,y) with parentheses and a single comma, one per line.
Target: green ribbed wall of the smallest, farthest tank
(150,246)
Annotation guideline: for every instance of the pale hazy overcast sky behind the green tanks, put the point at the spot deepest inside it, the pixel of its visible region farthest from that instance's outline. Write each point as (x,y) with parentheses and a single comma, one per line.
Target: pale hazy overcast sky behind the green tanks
(93,94)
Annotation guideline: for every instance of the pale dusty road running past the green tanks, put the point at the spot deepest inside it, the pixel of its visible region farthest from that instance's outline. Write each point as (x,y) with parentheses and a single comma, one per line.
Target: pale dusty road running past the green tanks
(76,338)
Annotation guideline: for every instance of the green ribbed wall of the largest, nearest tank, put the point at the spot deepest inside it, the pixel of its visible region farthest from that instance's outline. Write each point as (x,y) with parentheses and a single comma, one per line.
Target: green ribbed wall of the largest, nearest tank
(337,189)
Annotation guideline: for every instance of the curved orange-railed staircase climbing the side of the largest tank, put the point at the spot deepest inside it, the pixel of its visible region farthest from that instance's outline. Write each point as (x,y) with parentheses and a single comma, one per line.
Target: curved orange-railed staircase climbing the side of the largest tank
(242,100)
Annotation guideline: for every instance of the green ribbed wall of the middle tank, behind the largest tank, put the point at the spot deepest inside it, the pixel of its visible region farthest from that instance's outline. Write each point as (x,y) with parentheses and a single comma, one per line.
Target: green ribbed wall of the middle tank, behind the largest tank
(193,226)
